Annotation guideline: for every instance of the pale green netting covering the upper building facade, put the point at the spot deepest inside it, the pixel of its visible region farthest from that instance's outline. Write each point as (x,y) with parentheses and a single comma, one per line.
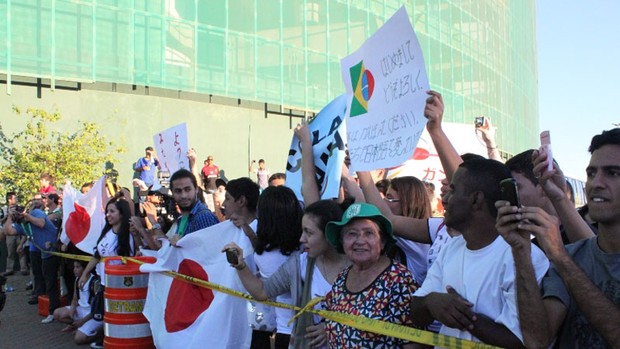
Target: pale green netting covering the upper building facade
(480,54)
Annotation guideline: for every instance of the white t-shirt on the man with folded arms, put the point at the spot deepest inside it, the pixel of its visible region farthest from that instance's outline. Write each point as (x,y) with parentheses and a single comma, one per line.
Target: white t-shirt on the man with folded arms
(485,277)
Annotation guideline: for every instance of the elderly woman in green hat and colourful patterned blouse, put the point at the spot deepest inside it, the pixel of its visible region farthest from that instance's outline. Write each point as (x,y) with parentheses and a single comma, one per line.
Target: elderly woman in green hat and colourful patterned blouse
(374,286)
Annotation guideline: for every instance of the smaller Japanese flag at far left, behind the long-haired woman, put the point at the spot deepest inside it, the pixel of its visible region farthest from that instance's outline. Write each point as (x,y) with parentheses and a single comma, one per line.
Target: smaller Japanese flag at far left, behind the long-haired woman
(83,215)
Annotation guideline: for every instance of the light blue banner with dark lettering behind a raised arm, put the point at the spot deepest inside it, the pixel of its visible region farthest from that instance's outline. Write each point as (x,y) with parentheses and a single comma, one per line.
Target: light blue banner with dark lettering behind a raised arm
(328,133)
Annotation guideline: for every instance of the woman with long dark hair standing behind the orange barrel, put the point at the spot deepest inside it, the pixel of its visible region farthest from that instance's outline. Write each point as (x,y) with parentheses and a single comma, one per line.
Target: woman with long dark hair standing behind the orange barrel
(115,238)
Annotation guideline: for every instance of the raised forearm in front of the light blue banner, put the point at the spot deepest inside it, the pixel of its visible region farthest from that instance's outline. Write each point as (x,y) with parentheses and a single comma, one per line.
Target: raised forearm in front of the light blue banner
(309,187)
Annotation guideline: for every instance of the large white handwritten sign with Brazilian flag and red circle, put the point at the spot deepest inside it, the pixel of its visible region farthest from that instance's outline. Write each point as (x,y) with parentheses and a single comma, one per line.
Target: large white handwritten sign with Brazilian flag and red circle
(386,84)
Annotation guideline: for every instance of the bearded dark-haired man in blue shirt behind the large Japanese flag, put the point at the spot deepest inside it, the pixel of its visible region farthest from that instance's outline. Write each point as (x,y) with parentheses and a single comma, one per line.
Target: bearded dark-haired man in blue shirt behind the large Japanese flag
(194,214)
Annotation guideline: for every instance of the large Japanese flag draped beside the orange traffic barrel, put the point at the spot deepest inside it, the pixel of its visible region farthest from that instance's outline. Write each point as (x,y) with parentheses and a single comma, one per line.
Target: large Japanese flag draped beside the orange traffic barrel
(183,315)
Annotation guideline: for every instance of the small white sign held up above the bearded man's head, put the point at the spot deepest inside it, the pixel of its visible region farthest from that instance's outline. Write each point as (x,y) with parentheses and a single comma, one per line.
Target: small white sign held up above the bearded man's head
(171,146)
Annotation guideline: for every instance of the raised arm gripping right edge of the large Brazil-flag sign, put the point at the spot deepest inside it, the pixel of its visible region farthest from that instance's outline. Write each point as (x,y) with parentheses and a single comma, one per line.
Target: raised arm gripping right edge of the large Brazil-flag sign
(449,157)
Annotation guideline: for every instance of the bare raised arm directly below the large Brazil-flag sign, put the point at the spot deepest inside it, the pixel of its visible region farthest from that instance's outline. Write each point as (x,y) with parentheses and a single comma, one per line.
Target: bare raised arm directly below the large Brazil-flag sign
(409,228)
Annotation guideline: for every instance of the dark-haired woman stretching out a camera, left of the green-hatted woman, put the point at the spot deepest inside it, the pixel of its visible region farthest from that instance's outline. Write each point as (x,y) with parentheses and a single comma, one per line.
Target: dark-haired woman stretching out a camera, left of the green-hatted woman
(306,274)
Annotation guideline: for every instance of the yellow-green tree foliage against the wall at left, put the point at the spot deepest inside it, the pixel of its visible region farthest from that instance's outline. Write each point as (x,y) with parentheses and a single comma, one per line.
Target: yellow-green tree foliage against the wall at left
(77,156)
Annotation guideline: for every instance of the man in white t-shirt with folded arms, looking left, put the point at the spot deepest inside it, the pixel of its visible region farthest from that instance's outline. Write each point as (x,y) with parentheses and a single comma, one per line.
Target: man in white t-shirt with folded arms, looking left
(471,287)
